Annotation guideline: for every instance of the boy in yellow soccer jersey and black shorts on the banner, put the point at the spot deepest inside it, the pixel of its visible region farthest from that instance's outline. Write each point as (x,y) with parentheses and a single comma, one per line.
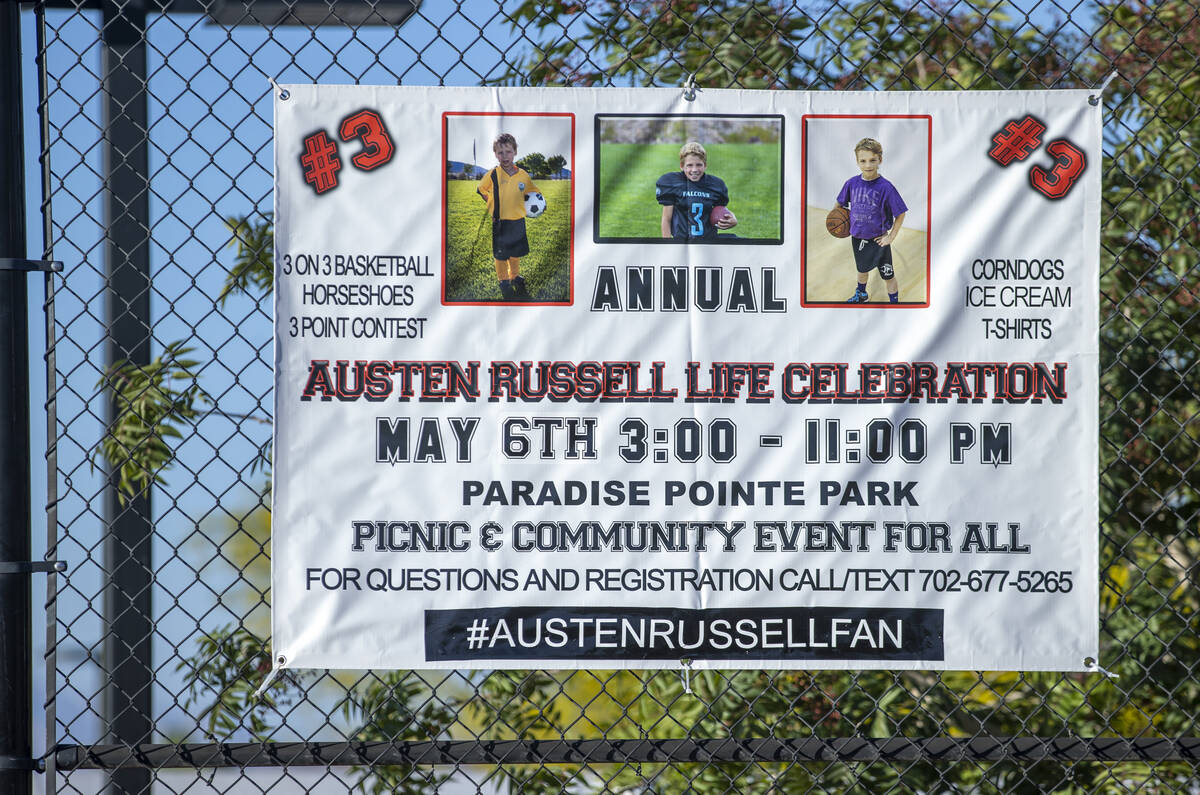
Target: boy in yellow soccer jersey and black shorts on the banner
(505,189)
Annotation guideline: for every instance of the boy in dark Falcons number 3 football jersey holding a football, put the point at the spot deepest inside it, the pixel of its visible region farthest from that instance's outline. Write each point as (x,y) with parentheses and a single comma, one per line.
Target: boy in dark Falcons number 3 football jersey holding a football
(694,202)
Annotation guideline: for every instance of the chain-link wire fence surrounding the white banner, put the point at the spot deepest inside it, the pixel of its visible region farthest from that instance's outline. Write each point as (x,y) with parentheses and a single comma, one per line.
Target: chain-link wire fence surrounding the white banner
(158,192)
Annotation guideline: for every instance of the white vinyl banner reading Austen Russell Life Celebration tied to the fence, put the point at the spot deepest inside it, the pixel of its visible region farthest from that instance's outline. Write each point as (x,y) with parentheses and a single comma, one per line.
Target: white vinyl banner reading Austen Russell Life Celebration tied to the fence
(617,379)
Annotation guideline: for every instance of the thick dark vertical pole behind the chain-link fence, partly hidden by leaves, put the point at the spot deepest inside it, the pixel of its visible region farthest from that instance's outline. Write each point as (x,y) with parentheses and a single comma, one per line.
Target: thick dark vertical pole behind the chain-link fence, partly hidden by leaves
(129,528)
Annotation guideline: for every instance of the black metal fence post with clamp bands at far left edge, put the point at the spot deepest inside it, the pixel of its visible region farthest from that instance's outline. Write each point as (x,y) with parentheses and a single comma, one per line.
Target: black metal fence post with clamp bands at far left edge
(16,639)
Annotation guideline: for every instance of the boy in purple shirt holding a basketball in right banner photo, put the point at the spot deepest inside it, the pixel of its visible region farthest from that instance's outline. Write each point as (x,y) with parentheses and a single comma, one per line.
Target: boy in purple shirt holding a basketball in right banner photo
(877,216)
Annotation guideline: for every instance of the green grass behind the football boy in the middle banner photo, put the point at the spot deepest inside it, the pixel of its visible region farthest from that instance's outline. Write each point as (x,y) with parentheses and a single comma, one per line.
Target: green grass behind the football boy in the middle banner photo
(628,174)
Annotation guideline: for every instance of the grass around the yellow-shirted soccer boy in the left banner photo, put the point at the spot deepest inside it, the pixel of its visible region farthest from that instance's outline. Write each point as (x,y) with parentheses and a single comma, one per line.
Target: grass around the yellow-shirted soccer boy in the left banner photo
(471,272)
